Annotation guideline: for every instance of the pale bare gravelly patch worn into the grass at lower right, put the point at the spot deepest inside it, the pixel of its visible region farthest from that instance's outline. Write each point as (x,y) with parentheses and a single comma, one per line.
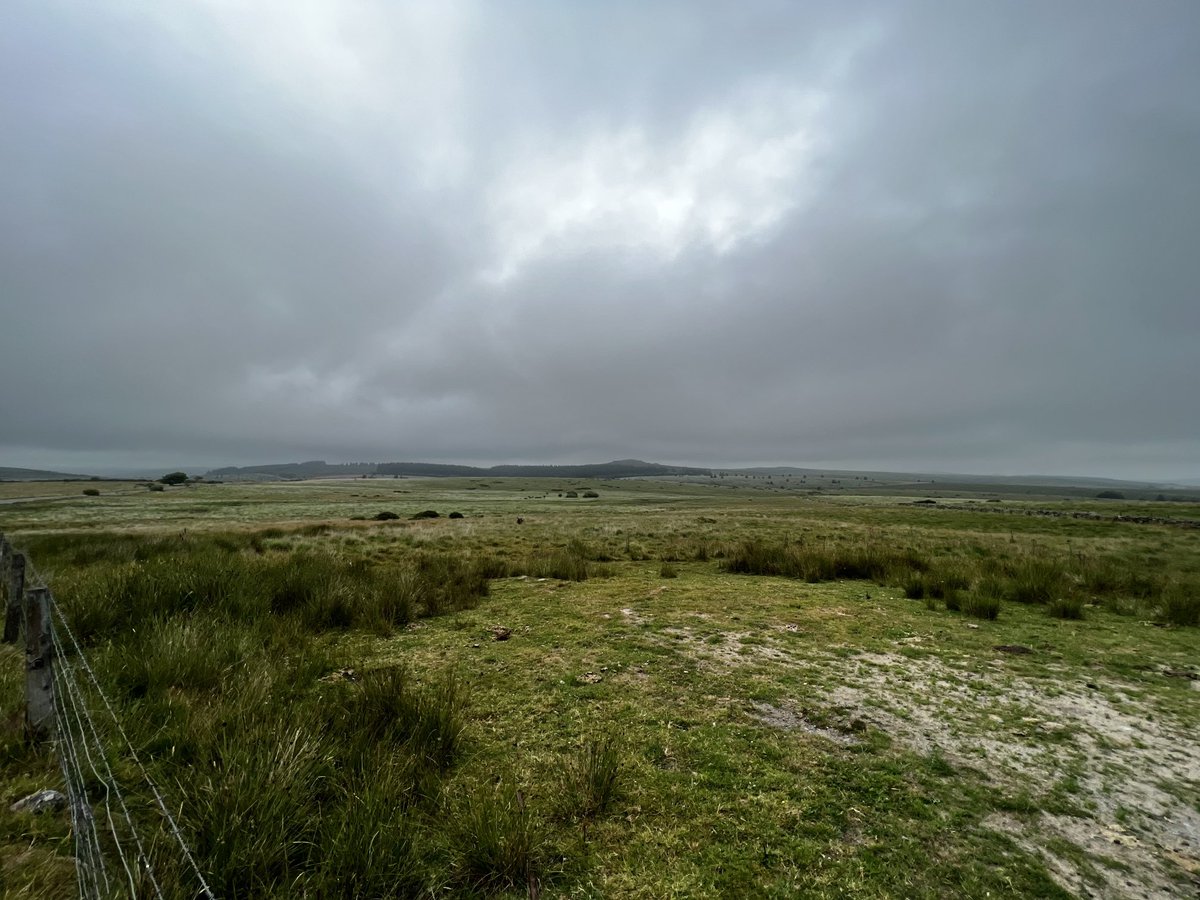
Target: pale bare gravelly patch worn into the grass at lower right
(1129,772)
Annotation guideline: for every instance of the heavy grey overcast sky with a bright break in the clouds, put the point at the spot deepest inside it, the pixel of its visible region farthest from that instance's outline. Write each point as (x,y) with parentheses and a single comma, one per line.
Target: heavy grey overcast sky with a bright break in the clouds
(944,237)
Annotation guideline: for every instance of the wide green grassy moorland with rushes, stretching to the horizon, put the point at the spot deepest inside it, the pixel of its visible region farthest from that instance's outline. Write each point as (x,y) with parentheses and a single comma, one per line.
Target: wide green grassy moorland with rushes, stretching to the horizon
(667,689)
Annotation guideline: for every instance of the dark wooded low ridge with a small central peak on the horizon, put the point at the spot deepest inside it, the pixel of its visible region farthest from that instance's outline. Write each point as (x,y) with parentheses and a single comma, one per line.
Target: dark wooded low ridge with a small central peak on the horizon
(319,469)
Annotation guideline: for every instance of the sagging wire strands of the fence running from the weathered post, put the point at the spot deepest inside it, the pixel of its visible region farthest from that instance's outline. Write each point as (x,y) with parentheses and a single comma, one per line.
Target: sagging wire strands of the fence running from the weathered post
(128,842)
